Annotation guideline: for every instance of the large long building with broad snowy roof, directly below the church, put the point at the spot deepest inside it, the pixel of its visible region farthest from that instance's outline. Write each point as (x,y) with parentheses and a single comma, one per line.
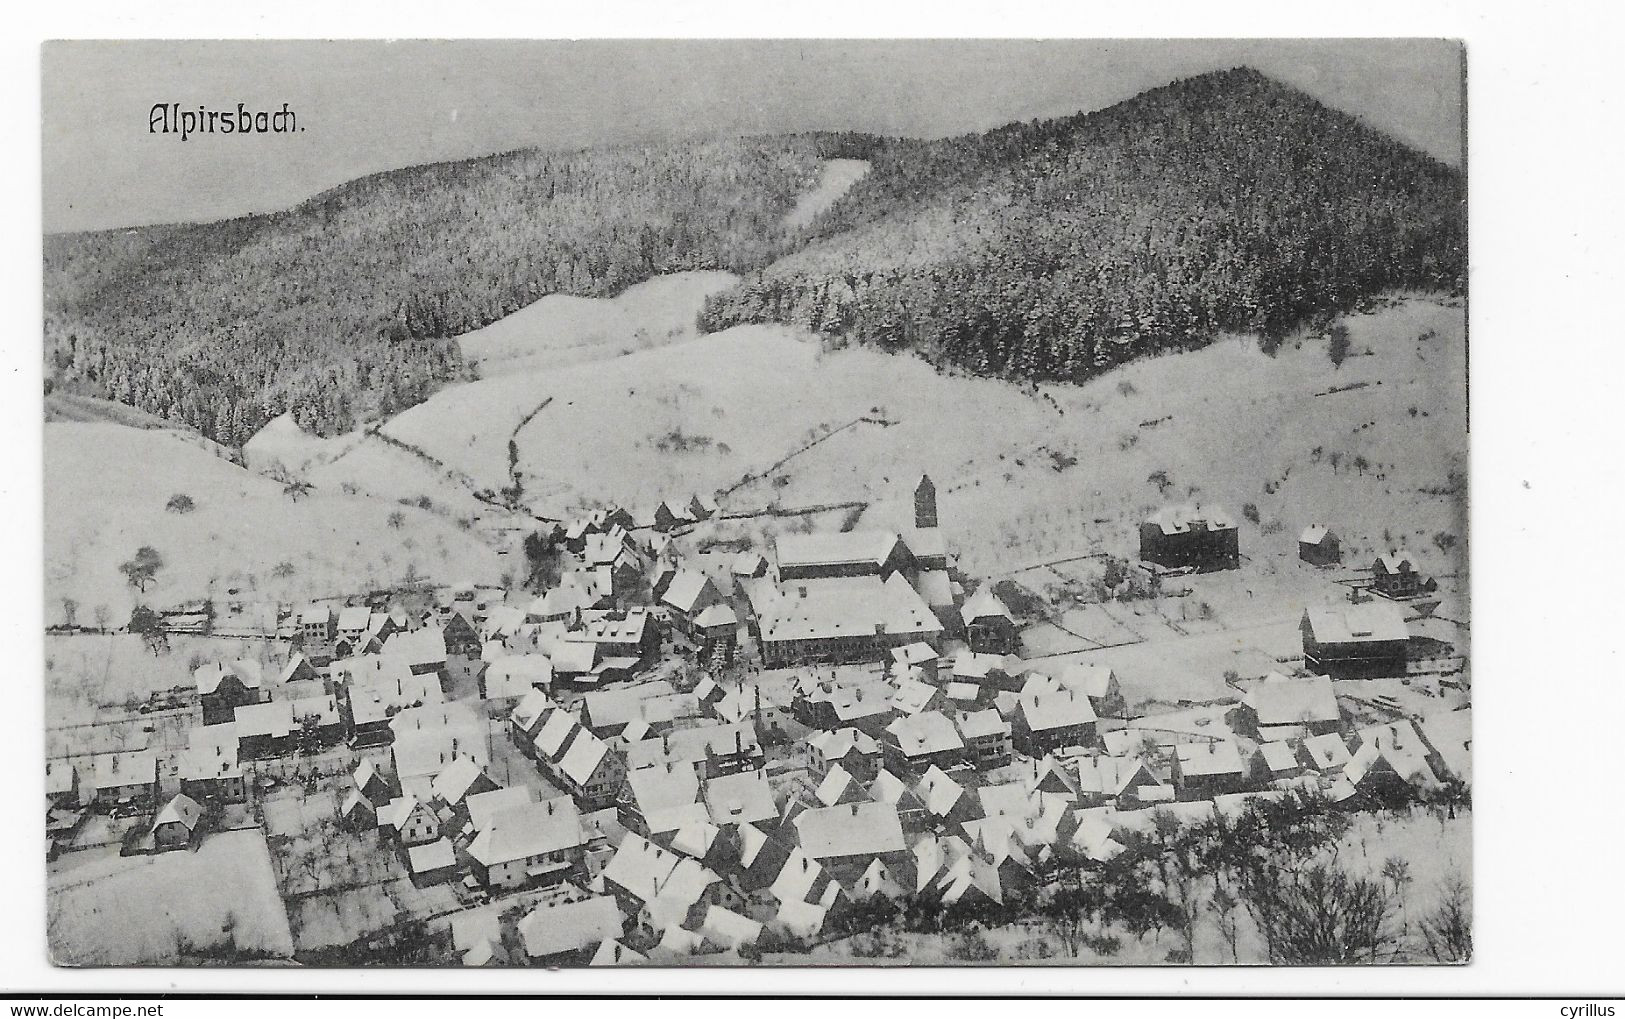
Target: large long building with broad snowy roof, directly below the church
(856,620)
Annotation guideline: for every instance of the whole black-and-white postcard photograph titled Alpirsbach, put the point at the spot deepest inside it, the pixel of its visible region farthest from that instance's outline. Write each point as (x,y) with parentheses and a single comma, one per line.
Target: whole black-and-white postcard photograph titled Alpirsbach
(756,503)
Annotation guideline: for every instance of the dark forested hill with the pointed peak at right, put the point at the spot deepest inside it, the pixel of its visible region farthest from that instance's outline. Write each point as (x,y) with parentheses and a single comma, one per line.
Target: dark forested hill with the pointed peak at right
(1054,249)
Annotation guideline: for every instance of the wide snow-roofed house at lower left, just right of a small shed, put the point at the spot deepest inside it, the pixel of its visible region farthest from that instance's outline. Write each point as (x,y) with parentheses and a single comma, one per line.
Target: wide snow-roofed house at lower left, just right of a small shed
(529,844)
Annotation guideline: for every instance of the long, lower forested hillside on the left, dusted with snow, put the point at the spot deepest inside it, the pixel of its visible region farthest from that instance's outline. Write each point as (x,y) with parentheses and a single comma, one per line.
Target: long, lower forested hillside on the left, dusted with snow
(344,308)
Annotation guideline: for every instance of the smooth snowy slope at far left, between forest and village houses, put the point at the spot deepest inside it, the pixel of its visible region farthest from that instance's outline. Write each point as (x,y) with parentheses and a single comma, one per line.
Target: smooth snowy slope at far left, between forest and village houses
(245,536)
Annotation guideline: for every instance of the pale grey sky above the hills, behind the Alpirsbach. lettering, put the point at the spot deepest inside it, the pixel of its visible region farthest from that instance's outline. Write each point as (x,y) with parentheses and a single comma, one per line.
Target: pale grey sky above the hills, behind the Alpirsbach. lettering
(371,106)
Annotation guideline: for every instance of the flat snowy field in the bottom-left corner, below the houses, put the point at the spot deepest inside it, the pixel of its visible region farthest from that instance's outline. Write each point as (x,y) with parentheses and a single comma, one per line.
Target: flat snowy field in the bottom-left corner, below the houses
(158,911)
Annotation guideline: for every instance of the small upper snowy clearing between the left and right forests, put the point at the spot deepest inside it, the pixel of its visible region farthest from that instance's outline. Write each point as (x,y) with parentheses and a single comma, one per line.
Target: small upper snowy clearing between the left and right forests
(560,331)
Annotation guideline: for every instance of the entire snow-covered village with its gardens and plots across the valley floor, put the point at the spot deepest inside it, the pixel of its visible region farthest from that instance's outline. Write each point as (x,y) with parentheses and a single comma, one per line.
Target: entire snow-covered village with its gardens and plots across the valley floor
(693,748)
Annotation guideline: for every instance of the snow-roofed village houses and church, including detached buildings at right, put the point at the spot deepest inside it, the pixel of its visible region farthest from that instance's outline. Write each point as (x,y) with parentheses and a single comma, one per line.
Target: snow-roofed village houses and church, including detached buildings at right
(670,817)
